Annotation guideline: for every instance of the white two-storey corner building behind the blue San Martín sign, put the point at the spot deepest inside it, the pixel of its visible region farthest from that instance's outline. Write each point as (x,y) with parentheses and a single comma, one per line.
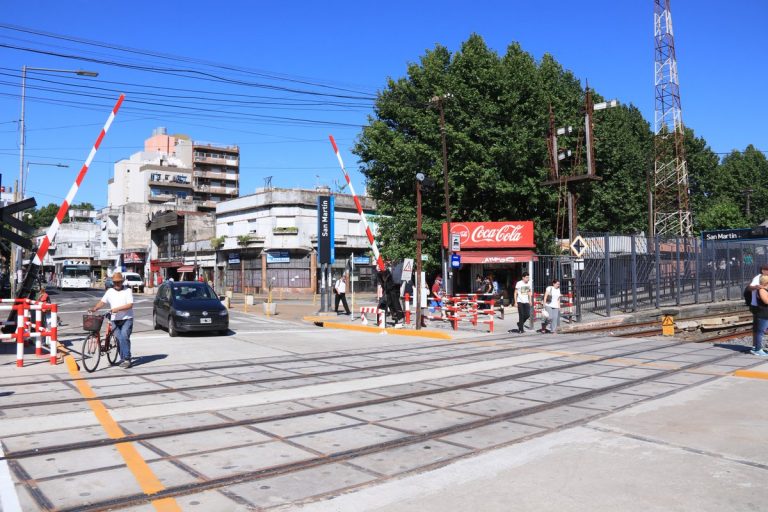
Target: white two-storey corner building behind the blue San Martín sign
(280,226)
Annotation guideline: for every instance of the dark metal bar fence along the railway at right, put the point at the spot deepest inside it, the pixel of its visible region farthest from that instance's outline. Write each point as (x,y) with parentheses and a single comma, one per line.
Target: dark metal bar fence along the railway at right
(626,273)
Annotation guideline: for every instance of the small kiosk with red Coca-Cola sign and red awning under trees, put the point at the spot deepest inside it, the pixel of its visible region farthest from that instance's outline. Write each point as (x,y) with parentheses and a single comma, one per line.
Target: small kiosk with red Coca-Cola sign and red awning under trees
(504,250)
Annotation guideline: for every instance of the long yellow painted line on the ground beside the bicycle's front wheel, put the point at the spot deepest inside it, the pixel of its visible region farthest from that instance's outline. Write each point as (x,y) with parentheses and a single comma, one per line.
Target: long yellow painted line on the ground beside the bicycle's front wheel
(144,475)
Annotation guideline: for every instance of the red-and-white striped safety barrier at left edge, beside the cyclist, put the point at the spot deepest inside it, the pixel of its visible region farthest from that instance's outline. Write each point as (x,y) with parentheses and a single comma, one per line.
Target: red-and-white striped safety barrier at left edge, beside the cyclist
(37,329)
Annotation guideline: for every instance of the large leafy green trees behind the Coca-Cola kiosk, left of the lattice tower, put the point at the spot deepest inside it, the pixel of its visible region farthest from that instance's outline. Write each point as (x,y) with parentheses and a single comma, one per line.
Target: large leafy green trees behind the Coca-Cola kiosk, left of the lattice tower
(497,117)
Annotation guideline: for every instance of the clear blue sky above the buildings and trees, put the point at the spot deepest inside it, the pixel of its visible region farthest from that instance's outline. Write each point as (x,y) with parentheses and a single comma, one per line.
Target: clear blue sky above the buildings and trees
(345,48)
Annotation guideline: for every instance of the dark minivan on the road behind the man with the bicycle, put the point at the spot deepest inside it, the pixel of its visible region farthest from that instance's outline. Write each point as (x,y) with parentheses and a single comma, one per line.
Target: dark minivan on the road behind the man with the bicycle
(188,306)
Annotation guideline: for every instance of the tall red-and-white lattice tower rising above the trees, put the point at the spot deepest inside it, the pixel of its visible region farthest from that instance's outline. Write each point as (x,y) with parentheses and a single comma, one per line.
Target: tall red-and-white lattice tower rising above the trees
(670,211)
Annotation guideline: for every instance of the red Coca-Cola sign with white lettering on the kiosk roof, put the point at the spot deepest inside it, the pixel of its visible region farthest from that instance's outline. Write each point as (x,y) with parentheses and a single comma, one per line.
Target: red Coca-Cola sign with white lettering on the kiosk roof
(478,235)
